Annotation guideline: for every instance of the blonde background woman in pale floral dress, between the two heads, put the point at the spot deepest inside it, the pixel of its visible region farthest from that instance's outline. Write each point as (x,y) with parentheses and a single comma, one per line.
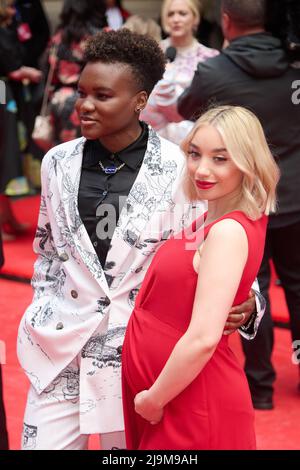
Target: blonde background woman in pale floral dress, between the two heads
(180,19)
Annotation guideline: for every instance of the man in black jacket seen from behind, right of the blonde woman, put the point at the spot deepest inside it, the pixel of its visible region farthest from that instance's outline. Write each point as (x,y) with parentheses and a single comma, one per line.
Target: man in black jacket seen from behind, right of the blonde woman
(255,71)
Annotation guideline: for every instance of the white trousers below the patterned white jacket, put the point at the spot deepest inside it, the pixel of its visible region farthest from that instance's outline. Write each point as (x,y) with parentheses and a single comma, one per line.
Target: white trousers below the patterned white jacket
(52,419)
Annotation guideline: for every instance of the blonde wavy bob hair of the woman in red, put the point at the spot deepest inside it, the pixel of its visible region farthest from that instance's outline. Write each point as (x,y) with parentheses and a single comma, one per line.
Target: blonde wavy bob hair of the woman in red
(246,144)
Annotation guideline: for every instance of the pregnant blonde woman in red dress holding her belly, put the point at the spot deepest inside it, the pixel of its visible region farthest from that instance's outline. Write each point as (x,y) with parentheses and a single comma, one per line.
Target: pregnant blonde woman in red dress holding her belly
(183,388)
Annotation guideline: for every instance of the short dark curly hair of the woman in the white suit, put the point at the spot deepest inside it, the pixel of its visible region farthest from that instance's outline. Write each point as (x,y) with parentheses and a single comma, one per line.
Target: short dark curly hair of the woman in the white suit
(140,52)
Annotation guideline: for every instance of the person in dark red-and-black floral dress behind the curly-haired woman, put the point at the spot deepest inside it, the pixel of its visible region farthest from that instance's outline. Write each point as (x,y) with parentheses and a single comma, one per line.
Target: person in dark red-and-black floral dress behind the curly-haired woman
(79,20)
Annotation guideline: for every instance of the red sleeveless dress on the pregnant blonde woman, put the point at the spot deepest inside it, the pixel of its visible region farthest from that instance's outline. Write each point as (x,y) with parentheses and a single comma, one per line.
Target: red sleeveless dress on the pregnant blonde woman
(215,411)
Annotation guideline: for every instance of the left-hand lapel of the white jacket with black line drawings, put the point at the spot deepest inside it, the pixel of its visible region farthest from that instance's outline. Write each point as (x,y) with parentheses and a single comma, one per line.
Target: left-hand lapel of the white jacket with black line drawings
(69,170)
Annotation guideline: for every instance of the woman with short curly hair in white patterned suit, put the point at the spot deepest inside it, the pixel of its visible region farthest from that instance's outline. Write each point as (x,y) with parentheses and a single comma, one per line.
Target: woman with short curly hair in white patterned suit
(109,200)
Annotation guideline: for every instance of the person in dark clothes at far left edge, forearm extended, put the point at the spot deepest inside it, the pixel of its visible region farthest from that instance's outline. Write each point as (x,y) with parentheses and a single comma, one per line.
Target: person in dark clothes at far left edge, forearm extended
(12,73)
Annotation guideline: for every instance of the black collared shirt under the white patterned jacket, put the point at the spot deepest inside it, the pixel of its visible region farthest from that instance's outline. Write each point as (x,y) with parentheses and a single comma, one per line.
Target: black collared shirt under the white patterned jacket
(99,193)
